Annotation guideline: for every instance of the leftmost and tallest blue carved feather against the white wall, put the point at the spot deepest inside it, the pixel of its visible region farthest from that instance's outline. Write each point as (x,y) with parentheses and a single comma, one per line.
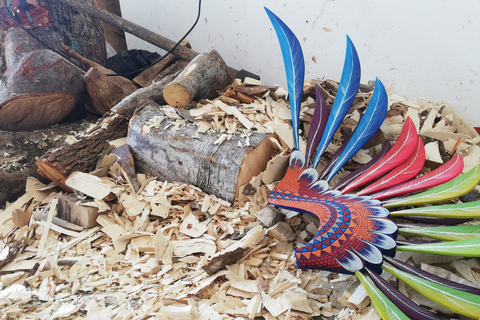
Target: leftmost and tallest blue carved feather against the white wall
(294,68)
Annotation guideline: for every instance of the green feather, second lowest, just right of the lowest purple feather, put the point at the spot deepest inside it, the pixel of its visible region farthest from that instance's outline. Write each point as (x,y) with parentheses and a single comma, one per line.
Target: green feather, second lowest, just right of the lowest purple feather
(463,303)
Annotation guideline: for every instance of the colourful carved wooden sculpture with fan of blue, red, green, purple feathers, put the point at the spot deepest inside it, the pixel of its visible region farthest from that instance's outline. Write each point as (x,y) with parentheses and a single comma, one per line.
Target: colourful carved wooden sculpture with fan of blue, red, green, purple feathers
(356,233)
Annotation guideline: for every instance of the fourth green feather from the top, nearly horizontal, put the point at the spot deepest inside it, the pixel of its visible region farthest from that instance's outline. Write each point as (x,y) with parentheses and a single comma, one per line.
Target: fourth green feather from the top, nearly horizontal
(465,248)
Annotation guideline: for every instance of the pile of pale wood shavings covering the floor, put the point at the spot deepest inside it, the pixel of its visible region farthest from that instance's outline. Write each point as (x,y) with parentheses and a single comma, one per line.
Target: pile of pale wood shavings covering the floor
(171,251)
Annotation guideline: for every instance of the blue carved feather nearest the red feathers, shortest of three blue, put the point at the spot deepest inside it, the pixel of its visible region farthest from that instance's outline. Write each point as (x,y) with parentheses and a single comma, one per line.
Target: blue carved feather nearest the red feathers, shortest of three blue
(366,128)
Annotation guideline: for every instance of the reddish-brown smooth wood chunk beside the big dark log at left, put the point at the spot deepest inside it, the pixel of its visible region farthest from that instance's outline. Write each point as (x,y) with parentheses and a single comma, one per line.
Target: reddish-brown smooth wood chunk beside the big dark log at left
(106,91)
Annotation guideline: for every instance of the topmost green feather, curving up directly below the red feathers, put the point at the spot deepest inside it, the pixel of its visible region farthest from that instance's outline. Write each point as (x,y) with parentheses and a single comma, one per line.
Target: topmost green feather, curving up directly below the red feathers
(449,190)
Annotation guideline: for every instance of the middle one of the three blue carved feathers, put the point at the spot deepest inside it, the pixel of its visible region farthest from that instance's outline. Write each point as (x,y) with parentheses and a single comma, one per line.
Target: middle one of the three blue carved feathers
(347,90)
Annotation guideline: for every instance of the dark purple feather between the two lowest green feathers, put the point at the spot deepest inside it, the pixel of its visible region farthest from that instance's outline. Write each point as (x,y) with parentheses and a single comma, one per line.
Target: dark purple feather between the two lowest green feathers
(407,306)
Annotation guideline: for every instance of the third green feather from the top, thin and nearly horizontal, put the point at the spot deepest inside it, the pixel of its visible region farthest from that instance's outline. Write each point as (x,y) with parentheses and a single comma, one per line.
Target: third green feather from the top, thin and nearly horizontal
(451,233)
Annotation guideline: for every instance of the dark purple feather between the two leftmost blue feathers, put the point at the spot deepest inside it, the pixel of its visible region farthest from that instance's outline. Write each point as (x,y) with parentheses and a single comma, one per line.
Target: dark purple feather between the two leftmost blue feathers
(317,127)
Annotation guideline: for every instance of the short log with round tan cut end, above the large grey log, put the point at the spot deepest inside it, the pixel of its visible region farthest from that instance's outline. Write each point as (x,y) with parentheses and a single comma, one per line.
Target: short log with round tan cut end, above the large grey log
(203,77)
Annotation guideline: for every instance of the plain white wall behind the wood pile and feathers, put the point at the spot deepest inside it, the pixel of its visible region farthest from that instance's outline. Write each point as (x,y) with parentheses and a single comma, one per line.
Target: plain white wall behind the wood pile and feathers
(426,49)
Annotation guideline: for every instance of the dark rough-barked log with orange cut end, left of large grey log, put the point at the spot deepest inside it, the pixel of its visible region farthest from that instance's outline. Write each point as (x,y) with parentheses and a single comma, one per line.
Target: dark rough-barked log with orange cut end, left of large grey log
(58,163)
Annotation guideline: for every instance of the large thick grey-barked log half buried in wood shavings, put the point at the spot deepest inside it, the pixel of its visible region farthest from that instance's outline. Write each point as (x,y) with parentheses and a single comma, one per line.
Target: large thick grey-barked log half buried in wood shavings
(181,154)
